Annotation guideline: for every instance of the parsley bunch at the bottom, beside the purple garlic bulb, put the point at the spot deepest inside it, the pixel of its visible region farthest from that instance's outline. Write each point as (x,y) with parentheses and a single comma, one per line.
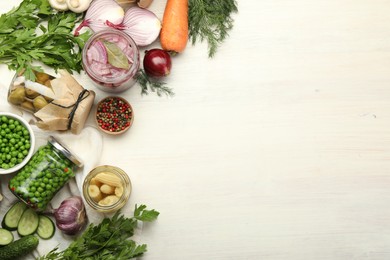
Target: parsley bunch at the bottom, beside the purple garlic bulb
(107,241)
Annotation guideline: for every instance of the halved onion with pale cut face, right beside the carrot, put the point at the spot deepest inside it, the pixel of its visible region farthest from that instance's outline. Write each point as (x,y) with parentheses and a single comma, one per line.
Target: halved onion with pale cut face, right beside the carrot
(142,25)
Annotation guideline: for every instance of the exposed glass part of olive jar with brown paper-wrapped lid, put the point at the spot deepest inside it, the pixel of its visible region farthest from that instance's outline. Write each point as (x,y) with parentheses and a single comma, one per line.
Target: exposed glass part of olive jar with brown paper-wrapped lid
(31,95)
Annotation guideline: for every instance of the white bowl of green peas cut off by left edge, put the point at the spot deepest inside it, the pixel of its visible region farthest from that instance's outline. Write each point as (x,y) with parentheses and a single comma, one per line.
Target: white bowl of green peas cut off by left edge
(17,141)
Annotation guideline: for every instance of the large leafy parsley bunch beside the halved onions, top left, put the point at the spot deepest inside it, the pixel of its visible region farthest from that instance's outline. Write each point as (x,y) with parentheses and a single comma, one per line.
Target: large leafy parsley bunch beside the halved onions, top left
(35,32)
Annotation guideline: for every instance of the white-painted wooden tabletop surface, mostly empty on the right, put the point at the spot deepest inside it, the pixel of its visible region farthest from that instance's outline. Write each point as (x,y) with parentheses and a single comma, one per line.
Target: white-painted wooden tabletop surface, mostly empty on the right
(278,148)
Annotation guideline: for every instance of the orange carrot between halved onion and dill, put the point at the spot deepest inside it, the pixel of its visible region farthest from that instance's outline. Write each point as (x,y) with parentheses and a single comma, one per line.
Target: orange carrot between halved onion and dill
(174,31)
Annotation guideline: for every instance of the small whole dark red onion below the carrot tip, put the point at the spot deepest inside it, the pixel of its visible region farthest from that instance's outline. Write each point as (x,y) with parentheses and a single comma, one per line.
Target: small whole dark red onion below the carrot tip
(157,63)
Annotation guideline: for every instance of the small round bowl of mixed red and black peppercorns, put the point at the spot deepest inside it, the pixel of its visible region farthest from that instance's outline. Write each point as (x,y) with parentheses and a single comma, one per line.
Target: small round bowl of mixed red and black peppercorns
(114,115)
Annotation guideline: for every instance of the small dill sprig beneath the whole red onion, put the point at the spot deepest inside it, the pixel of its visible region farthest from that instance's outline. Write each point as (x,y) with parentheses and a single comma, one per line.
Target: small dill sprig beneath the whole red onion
(157,86)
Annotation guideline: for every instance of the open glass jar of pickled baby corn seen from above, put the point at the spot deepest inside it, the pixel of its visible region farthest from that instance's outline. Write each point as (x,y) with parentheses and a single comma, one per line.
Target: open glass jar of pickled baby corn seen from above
(107,188)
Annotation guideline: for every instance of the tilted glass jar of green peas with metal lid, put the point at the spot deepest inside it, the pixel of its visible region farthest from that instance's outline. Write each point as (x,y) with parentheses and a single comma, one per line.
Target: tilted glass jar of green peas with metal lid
(49,169)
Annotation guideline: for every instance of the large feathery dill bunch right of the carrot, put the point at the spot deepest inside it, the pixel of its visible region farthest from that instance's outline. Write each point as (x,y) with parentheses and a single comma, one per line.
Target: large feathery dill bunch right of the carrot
(210,21)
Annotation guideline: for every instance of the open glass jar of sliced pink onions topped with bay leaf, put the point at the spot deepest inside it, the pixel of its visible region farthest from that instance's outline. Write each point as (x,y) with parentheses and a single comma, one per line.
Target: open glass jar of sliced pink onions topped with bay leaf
(111,59)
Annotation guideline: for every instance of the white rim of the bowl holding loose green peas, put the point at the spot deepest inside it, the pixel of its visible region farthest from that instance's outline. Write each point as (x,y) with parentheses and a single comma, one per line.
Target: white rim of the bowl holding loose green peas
(32,143)
